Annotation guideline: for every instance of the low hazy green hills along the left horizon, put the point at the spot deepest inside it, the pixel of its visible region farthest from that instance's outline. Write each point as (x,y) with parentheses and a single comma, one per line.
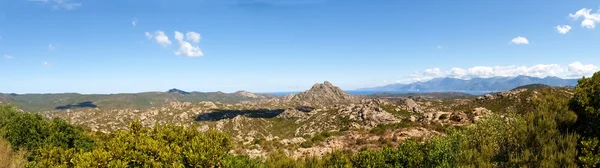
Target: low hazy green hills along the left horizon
(62,101)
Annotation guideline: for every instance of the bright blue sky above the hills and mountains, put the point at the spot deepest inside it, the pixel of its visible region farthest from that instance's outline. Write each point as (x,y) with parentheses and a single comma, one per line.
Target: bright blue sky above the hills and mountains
(101,46)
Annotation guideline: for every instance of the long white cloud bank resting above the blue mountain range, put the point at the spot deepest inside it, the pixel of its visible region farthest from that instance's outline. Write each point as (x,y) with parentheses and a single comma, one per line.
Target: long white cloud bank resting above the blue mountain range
(573,70)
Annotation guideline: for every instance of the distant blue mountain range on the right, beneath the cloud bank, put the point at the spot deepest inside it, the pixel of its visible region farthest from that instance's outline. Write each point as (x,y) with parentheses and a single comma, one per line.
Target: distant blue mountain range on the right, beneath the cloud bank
(473,85)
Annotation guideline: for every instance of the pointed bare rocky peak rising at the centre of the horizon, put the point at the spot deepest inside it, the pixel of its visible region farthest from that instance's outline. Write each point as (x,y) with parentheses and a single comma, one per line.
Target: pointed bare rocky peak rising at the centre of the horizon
(324,93)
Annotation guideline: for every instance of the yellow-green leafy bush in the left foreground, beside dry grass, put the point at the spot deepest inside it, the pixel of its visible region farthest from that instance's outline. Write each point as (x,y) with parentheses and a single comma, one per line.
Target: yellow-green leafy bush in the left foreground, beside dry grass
(161,146)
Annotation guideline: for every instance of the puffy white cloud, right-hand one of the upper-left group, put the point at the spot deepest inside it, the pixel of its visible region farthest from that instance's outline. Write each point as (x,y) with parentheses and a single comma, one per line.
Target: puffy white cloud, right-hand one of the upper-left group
(186,48)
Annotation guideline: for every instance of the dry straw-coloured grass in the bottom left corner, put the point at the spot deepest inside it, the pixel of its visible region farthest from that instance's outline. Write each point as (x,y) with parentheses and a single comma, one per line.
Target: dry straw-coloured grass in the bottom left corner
(10,158)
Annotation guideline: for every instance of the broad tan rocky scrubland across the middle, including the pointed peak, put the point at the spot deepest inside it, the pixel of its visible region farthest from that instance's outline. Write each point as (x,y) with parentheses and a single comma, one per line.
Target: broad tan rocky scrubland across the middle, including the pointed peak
(261,127)
